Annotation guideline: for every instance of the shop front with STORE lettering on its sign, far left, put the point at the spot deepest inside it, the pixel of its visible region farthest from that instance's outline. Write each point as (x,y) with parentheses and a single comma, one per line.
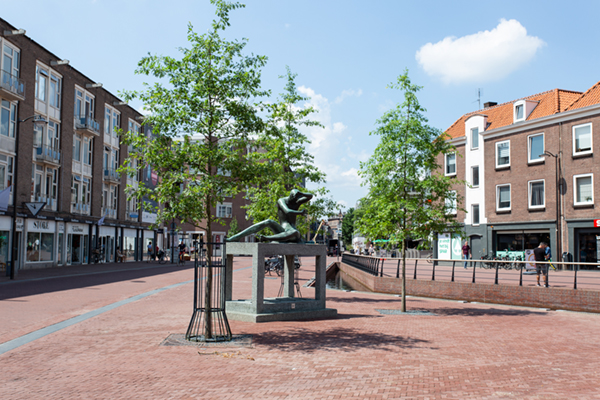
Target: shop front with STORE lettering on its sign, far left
(39,239)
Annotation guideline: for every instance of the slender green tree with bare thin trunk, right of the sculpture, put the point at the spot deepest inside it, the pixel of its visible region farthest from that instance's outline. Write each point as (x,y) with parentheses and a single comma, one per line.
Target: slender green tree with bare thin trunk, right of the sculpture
(408,197)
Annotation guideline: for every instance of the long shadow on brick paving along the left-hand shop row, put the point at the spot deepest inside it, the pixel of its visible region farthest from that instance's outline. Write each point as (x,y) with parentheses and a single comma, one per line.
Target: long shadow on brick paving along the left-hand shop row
(16,289)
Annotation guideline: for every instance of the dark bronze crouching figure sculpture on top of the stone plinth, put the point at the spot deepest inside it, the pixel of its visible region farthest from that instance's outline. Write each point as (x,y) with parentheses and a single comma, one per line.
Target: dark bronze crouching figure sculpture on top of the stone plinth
(285,231)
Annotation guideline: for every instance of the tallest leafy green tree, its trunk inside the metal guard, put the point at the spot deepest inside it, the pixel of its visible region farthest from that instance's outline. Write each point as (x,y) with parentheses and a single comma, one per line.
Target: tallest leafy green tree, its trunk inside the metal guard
(202,110)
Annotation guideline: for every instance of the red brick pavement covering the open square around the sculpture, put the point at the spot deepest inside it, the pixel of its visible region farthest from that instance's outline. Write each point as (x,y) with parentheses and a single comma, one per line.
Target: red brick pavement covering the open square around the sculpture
(464,351)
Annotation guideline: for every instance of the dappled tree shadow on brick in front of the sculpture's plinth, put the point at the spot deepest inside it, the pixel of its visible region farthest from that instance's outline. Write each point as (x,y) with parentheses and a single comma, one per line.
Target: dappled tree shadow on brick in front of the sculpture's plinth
(334,339)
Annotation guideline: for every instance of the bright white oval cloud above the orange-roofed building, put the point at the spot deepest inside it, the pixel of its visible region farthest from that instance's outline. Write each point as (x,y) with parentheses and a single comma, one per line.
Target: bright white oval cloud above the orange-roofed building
(483,56)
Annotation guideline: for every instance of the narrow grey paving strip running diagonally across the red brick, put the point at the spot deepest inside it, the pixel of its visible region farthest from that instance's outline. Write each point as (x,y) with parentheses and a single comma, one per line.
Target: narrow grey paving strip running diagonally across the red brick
(40,333)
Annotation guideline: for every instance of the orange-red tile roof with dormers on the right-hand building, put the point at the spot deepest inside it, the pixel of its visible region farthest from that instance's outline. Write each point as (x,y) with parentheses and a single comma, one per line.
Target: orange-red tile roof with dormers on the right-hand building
(550,102)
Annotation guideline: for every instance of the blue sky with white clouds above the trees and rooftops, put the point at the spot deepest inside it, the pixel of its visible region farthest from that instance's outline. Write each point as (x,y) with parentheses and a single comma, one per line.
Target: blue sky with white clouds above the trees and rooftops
(345,53)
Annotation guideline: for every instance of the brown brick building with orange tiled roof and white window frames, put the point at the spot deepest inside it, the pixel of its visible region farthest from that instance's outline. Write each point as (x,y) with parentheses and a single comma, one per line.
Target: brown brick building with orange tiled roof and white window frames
(515,156)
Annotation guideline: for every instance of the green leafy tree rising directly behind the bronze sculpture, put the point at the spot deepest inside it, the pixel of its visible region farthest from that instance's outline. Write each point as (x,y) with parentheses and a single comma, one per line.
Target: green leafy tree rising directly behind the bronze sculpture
(285,164)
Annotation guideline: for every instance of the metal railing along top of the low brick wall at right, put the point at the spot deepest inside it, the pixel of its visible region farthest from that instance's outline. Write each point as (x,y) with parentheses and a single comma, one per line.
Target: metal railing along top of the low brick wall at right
(513,272)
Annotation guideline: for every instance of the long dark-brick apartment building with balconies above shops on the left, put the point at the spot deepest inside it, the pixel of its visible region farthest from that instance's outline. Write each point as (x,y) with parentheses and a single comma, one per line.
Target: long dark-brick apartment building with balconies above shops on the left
(59,148)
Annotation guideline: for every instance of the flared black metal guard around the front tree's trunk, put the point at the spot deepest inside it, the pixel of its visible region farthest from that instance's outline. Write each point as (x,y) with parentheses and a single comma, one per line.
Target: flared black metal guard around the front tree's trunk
(209,321)
